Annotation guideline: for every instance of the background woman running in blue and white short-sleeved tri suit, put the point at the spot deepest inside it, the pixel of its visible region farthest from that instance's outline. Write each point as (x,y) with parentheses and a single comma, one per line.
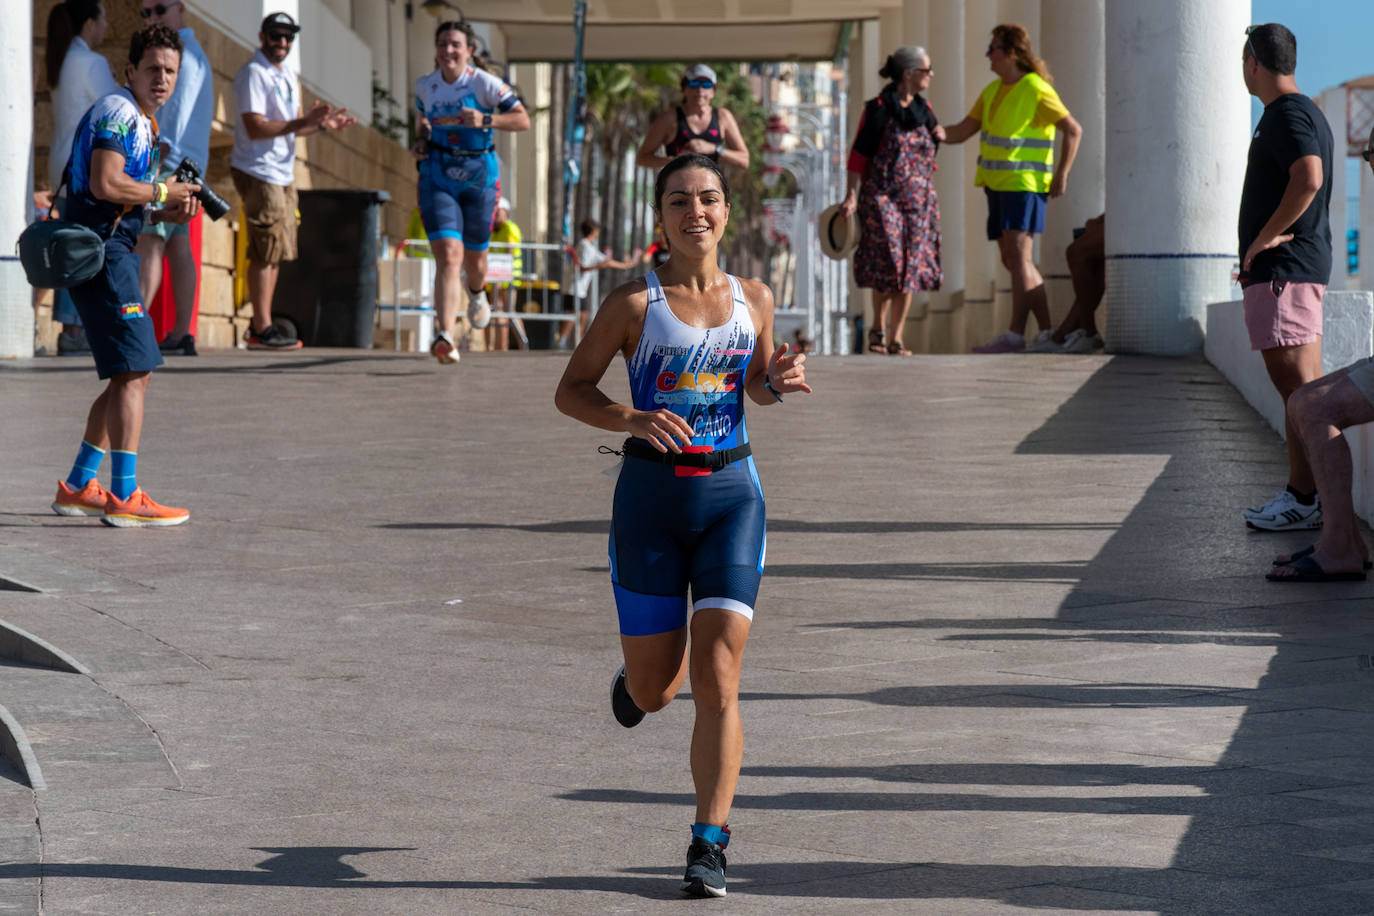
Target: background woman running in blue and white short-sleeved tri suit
(458,106)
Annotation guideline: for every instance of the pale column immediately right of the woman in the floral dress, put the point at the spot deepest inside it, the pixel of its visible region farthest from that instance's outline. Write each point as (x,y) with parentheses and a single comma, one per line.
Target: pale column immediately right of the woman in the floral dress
(947,97)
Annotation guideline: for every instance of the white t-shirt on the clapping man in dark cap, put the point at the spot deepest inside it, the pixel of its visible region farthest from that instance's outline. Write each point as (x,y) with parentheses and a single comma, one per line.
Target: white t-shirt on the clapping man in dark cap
(274,93)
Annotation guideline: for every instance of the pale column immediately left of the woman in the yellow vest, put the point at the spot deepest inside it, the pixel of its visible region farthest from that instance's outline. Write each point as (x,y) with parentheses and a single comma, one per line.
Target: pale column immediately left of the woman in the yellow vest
(980,256)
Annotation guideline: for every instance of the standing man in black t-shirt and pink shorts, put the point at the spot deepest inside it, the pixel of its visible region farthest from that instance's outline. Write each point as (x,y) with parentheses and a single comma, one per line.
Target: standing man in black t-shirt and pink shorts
(1285,249)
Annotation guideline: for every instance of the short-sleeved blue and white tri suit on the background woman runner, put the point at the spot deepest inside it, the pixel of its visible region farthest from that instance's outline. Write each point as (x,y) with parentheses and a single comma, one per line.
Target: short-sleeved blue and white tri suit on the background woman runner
(460,185)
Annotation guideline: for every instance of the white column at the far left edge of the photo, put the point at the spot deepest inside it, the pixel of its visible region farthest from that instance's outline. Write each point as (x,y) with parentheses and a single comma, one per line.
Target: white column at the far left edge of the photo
(16,178)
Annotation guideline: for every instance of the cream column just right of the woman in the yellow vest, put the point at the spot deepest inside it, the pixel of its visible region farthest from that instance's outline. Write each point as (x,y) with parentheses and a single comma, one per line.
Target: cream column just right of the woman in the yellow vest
(1074,47)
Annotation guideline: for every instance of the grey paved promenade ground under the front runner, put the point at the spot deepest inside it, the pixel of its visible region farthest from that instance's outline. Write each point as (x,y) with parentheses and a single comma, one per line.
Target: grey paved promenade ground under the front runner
(1015,652)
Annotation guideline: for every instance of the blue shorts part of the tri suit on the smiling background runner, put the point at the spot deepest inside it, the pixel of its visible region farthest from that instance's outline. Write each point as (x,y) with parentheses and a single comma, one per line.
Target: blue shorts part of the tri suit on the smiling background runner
(458,198)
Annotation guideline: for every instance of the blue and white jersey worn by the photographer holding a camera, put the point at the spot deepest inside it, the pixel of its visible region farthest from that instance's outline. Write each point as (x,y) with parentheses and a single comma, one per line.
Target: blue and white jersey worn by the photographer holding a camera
(115,123)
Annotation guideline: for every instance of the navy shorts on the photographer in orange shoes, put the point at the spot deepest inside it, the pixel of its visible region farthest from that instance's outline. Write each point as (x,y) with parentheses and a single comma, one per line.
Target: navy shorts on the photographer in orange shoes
(117,326)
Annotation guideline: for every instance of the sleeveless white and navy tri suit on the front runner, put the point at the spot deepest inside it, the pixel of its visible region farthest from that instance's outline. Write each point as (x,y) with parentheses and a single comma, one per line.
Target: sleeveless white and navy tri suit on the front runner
(675,528)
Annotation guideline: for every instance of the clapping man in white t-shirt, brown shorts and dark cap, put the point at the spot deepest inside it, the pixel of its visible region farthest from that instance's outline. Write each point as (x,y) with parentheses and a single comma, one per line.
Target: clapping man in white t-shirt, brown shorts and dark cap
(269,101)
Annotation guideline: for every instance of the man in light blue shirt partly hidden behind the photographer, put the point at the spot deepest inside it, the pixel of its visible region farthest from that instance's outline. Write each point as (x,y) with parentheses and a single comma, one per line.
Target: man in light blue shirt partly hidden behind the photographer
(185,127)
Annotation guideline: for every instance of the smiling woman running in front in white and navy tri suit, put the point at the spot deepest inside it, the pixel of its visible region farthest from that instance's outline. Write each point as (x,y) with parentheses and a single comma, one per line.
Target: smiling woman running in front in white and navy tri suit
(689,513)
